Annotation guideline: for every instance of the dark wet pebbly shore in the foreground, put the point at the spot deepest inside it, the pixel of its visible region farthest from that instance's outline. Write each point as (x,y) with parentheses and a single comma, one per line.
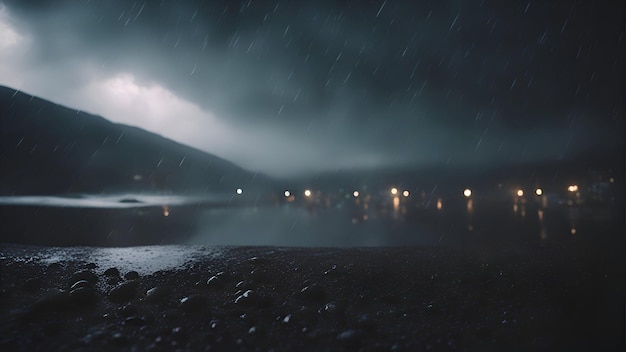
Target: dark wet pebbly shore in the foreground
(267,298)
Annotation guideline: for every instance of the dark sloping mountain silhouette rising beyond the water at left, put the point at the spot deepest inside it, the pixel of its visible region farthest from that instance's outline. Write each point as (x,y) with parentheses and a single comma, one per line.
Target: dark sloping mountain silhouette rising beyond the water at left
(46,148)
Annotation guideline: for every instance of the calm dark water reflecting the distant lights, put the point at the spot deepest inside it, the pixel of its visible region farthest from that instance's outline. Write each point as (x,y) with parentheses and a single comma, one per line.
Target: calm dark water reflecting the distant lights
(144,220)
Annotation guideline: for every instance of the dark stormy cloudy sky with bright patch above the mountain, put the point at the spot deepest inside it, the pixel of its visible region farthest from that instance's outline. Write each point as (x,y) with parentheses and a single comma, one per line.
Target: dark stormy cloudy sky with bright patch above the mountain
(295,87)
